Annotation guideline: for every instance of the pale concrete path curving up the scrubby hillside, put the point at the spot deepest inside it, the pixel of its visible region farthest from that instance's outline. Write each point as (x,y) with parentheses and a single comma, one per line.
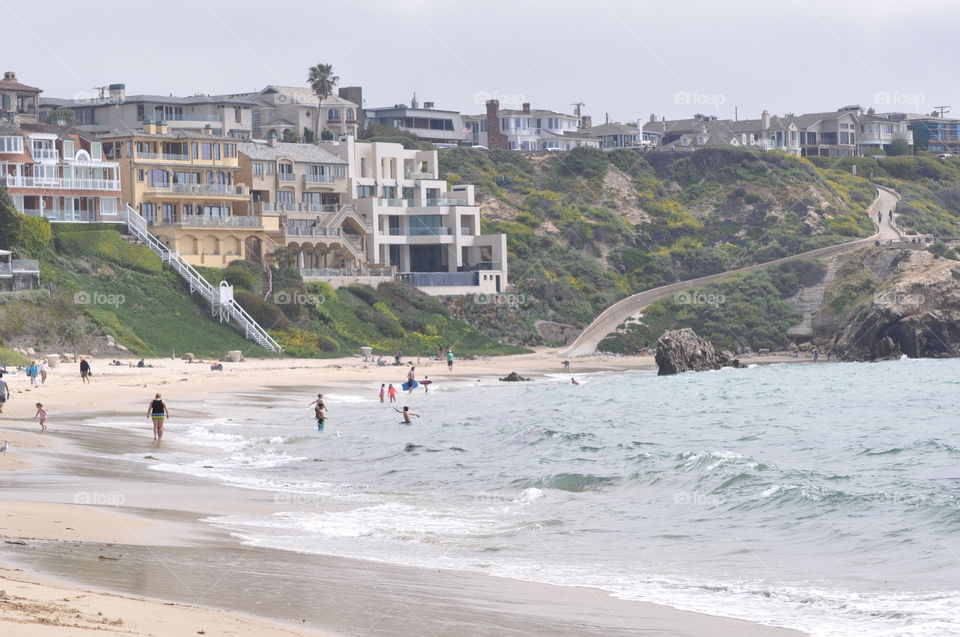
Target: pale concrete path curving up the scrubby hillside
(613,316)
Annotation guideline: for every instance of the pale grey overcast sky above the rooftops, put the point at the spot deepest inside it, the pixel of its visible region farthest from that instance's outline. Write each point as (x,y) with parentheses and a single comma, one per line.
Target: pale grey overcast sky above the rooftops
(625,58)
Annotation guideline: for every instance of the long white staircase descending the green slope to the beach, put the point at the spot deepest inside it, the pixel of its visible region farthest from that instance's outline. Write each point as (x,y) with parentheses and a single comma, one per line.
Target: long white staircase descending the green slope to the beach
(220,298)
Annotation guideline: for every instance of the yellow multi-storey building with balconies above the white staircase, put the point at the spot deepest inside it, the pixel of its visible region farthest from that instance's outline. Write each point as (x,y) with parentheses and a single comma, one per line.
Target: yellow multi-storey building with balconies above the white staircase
(185,184)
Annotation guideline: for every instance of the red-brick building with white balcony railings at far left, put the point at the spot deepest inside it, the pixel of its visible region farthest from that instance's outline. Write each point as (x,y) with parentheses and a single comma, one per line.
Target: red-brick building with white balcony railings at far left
(59,175)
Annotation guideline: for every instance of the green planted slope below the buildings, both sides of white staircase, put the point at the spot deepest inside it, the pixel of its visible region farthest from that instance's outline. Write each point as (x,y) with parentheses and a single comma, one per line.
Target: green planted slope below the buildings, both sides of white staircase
(96,284)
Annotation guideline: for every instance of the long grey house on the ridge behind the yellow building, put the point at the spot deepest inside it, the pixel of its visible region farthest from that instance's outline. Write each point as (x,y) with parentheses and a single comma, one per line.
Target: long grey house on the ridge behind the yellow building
(112,109)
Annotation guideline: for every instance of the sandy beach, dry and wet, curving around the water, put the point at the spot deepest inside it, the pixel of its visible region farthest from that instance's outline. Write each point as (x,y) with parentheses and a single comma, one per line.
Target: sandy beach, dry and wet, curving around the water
(75,565)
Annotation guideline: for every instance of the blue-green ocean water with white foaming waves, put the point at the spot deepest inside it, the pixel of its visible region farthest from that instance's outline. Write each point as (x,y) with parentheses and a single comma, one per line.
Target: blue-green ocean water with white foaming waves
(819,497)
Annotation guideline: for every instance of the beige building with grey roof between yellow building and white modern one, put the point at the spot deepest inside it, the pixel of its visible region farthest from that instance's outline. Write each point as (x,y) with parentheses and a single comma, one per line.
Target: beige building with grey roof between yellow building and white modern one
(306,189)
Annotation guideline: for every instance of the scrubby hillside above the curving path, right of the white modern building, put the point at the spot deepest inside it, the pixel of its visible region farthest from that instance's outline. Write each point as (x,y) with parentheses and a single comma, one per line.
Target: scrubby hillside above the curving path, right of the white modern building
(587,228)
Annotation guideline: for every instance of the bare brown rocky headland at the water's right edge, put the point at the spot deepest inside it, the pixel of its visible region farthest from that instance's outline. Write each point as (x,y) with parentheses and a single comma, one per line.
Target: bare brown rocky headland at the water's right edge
(916,313)
